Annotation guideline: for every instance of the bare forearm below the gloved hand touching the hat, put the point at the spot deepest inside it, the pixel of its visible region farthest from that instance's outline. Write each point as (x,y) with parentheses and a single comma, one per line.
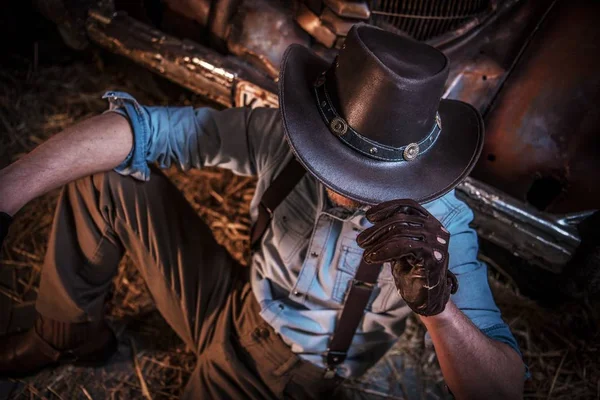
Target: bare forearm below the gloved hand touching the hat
(474,366)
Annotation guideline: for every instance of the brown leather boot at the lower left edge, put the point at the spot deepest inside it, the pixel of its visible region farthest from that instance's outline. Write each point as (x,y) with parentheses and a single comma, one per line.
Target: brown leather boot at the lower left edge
(50,343)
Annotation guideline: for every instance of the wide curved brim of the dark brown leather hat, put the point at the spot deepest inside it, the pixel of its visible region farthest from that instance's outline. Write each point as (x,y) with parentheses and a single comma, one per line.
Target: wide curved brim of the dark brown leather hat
(358,176)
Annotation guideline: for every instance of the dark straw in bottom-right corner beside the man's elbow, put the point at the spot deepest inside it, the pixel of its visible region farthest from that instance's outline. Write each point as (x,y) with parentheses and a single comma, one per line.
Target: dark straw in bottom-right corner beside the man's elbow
(561,346)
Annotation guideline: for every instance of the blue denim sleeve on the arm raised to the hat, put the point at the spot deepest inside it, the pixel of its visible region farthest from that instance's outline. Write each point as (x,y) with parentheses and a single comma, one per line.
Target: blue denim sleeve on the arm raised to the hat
(474,296)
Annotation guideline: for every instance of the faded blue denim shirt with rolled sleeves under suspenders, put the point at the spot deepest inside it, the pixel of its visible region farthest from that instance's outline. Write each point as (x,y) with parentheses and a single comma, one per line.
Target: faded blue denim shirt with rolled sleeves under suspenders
(301,272)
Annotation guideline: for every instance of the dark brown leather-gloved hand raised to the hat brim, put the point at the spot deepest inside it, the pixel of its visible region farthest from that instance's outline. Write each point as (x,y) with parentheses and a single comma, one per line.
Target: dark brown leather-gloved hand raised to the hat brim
(416,245)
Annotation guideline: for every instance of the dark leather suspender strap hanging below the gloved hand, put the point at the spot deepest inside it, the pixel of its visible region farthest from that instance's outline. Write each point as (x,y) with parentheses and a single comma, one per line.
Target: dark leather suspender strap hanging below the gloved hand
(356,302)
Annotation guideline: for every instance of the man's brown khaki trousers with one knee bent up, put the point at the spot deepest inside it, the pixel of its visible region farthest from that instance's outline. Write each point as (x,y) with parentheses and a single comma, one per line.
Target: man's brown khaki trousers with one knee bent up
(199,289)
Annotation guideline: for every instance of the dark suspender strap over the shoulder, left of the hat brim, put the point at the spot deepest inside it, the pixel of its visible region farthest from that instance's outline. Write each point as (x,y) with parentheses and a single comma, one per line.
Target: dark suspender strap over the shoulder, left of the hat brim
(281,186)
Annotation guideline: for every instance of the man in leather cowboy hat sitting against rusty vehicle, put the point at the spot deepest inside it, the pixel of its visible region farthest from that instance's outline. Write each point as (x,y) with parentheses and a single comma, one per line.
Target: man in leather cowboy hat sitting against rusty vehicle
(369,129)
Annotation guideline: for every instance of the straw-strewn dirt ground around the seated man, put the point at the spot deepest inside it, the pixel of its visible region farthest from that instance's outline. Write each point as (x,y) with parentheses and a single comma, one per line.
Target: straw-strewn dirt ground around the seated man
(560,345)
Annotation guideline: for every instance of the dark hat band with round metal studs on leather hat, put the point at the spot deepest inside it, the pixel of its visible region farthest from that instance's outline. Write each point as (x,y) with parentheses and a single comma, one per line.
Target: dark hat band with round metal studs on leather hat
(339,127)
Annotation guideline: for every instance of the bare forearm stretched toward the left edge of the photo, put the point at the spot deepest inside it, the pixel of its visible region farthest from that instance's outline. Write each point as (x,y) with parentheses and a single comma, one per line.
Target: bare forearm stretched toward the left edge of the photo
(96,144)
